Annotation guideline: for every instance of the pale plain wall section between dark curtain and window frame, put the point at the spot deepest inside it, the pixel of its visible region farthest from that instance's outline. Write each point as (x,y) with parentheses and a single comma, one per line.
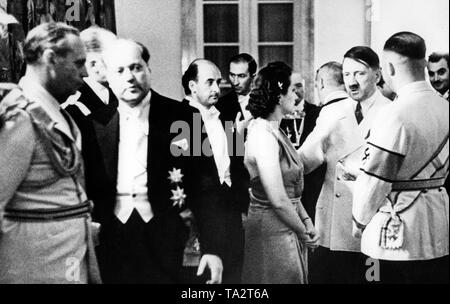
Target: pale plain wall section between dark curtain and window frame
(156,24)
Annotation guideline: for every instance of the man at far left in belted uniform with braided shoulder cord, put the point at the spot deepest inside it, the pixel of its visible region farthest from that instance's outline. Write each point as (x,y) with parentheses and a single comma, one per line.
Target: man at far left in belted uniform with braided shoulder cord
(45,234)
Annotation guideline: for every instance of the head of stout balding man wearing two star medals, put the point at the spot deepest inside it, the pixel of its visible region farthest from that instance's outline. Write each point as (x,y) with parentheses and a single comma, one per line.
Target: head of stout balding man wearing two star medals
(127,72)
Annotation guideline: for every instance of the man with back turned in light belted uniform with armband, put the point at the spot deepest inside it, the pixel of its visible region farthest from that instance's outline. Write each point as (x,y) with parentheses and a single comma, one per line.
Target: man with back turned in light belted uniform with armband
(400,204)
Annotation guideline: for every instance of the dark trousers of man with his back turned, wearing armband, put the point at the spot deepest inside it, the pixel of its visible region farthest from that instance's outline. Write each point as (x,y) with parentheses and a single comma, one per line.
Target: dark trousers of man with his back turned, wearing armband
(433,271)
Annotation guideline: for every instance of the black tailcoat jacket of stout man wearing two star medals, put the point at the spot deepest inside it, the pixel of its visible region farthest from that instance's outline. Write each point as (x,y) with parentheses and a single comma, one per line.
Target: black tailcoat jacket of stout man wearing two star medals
(101,158)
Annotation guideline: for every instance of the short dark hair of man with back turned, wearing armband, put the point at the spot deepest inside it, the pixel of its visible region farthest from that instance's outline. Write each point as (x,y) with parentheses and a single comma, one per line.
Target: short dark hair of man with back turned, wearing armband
(407,44)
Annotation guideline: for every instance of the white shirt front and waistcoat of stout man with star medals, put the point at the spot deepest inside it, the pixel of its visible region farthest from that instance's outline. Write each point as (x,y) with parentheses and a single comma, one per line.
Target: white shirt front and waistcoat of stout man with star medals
(132,186)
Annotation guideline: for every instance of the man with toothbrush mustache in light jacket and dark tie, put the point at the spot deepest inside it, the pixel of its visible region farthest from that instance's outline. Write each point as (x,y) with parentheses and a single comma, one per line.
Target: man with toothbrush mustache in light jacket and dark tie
(338,141)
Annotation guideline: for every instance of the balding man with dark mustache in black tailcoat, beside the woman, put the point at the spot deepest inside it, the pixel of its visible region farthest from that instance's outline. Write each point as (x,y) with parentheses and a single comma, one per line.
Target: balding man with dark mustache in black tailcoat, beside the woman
(216,179)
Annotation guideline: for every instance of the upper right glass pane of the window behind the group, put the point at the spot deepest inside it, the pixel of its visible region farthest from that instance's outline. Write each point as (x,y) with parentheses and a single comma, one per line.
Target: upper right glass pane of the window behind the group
(275,22)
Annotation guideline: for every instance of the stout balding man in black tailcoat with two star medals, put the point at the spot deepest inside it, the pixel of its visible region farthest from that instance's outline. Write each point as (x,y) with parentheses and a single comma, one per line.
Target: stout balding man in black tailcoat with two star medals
(142,237)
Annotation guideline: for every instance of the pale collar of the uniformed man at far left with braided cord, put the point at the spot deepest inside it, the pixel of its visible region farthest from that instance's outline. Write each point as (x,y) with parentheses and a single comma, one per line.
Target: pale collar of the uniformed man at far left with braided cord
(37,93)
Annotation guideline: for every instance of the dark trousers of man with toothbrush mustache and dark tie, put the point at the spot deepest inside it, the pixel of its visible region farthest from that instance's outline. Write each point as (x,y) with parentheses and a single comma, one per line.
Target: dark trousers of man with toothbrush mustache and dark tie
(336,267)
